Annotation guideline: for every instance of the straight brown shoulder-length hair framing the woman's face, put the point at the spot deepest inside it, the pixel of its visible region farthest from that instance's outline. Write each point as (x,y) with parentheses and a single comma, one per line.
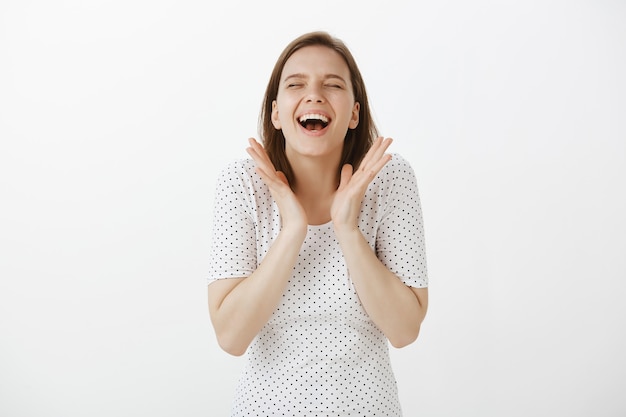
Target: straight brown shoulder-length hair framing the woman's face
(357,141)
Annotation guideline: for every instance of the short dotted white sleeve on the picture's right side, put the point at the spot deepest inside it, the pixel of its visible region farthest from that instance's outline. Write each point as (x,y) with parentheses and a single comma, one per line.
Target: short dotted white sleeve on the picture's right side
(400,243)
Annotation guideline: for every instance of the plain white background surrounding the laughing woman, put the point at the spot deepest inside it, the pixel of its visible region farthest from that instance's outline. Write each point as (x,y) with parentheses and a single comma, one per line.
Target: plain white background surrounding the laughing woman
(115,117)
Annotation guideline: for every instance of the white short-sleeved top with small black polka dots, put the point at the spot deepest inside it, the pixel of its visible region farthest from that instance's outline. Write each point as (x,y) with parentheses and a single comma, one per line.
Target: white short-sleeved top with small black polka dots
(319,354)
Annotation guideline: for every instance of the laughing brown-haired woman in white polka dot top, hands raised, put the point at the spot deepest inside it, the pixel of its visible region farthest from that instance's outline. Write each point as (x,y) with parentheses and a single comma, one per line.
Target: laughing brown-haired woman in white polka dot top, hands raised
(318,257)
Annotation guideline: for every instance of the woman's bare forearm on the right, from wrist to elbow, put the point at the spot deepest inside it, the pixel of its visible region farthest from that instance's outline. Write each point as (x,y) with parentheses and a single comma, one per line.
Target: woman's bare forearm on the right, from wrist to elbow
(391,304)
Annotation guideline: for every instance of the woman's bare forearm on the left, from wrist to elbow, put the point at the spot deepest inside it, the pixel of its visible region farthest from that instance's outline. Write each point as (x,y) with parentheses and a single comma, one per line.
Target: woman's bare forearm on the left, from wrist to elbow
(240,313)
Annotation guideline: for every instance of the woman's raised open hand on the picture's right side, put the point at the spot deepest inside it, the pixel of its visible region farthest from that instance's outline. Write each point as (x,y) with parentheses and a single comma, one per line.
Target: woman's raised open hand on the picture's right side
(346,205)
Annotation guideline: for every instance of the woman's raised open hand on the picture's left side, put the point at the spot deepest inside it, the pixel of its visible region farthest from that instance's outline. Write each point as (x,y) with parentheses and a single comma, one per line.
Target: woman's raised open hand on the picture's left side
(291,211)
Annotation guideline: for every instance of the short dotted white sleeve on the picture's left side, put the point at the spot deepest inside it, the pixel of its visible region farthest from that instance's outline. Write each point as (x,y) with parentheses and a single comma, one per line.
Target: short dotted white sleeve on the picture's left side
(233,247)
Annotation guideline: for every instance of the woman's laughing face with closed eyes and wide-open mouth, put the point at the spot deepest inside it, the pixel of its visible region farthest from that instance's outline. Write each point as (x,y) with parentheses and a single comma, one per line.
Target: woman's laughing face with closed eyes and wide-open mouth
(315,103)
